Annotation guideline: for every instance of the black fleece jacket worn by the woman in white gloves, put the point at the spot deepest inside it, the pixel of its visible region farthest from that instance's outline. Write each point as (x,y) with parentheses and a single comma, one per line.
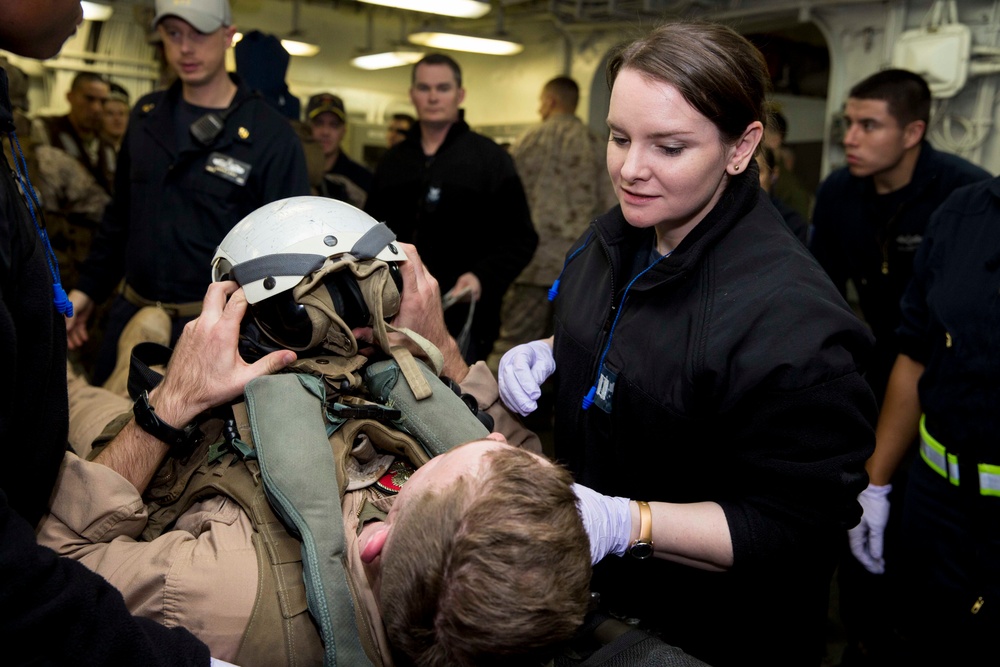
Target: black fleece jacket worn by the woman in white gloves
(737,380)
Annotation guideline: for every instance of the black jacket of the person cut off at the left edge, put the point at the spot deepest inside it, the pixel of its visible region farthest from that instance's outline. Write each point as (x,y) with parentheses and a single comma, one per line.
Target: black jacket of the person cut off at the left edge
(53,611)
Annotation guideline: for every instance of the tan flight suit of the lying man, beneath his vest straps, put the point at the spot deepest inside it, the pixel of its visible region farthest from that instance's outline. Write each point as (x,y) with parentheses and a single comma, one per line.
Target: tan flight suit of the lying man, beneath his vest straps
(202,574)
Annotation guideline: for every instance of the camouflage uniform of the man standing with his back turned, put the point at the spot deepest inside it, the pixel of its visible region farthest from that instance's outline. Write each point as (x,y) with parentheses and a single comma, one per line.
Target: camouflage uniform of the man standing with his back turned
(562,166)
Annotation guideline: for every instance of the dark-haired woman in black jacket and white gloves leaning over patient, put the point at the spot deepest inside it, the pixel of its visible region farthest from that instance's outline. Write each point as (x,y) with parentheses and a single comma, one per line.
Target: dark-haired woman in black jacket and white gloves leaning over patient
(703,362)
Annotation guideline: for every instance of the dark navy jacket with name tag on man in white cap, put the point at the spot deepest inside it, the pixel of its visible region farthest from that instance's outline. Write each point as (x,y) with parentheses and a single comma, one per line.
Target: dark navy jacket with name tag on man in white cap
(175,202)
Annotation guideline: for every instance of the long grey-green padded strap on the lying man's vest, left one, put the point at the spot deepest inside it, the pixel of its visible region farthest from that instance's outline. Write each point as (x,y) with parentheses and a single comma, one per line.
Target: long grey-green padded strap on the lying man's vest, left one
(286,418)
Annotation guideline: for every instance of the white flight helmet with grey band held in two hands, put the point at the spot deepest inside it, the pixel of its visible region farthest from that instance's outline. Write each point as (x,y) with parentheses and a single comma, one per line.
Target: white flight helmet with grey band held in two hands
(313,269)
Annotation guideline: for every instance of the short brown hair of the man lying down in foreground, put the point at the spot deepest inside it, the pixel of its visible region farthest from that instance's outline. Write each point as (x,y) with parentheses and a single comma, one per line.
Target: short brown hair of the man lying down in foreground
(492,571)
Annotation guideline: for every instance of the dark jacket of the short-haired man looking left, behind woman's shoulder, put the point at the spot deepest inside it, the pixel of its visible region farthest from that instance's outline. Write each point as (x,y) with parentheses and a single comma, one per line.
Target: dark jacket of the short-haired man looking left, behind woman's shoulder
(855,238)
